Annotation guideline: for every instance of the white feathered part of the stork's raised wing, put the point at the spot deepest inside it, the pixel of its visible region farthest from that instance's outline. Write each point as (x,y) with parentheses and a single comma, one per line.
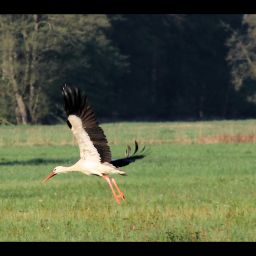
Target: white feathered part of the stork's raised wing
(87,149)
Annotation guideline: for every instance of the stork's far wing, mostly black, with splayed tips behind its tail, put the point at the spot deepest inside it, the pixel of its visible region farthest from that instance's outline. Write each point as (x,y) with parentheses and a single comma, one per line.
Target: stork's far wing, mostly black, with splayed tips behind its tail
(129,158)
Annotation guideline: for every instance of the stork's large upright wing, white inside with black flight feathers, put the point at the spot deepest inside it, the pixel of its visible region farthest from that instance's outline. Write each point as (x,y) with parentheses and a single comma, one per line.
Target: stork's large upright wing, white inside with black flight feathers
(82,121)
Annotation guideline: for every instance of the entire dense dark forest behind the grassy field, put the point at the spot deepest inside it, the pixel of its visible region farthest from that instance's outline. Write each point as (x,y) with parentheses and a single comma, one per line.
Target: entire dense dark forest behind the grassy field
(132,66)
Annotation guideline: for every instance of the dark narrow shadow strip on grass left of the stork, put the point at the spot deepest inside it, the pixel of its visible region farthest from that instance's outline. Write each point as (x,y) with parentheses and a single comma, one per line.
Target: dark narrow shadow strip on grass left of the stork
(35,161)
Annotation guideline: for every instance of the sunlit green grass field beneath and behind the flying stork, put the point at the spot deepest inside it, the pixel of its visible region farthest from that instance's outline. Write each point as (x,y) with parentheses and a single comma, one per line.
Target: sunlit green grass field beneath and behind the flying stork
(197,184)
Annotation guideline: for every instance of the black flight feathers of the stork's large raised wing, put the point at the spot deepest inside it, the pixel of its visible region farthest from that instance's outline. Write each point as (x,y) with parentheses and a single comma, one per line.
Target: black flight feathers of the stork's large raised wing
(77,104)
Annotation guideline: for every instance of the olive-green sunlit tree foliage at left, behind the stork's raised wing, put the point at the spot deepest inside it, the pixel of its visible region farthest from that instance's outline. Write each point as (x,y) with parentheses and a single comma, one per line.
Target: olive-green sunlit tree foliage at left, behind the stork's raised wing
(42,52)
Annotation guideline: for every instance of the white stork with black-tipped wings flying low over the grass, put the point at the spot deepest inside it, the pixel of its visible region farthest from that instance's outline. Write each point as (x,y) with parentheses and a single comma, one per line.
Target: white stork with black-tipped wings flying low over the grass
(95,154)
